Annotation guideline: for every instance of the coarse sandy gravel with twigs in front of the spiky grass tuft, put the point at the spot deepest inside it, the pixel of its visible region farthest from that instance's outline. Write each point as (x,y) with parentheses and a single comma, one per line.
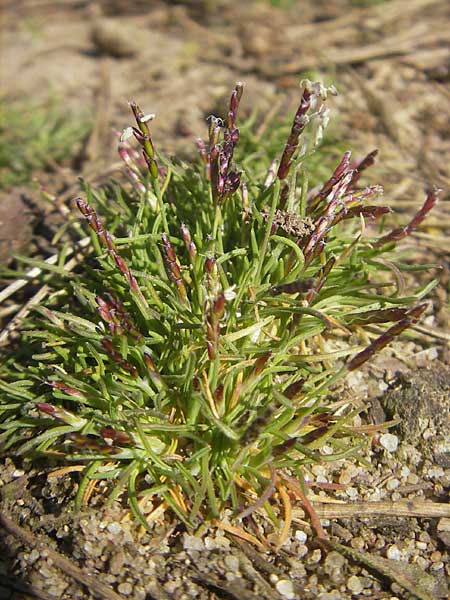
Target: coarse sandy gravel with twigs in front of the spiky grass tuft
(376,547)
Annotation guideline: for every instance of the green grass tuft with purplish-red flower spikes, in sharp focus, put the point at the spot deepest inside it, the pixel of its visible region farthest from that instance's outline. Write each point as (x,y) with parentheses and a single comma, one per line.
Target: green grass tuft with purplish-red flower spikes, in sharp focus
(191,364)
